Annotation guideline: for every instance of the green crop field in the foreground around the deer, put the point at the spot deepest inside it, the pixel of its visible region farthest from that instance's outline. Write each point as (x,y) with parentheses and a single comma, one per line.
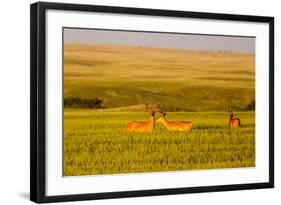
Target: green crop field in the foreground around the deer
(97,142)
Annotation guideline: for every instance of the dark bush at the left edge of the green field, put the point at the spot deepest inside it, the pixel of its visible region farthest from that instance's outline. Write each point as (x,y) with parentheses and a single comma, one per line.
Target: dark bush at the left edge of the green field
(76,102)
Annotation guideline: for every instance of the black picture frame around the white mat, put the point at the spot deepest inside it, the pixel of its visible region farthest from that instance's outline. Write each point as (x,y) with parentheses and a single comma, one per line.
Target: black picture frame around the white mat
(38,104)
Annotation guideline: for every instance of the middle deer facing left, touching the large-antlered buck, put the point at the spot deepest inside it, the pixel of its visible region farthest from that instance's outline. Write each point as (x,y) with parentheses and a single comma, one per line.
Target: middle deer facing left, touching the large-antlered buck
(174,125)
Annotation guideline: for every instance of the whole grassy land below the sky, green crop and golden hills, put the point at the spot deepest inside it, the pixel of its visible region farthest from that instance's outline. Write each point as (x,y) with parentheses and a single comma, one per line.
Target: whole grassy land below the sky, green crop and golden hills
(106,86)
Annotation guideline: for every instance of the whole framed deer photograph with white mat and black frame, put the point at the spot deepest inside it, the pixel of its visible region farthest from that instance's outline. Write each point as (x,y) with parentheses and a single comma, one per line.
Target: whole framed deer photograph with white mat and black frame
(129,102)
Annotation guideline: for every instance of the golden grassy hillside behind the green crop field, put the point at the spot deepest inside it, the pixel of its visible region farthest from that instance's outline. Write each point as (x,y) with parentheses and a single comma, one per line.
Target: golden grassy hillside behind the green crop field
(179,80)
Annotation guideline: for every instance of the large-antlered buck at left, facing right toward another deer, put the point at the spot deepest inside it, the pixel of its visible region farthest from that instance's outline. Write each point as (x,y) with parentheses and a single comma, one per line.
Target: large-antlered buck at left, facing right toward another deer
(145,126)
